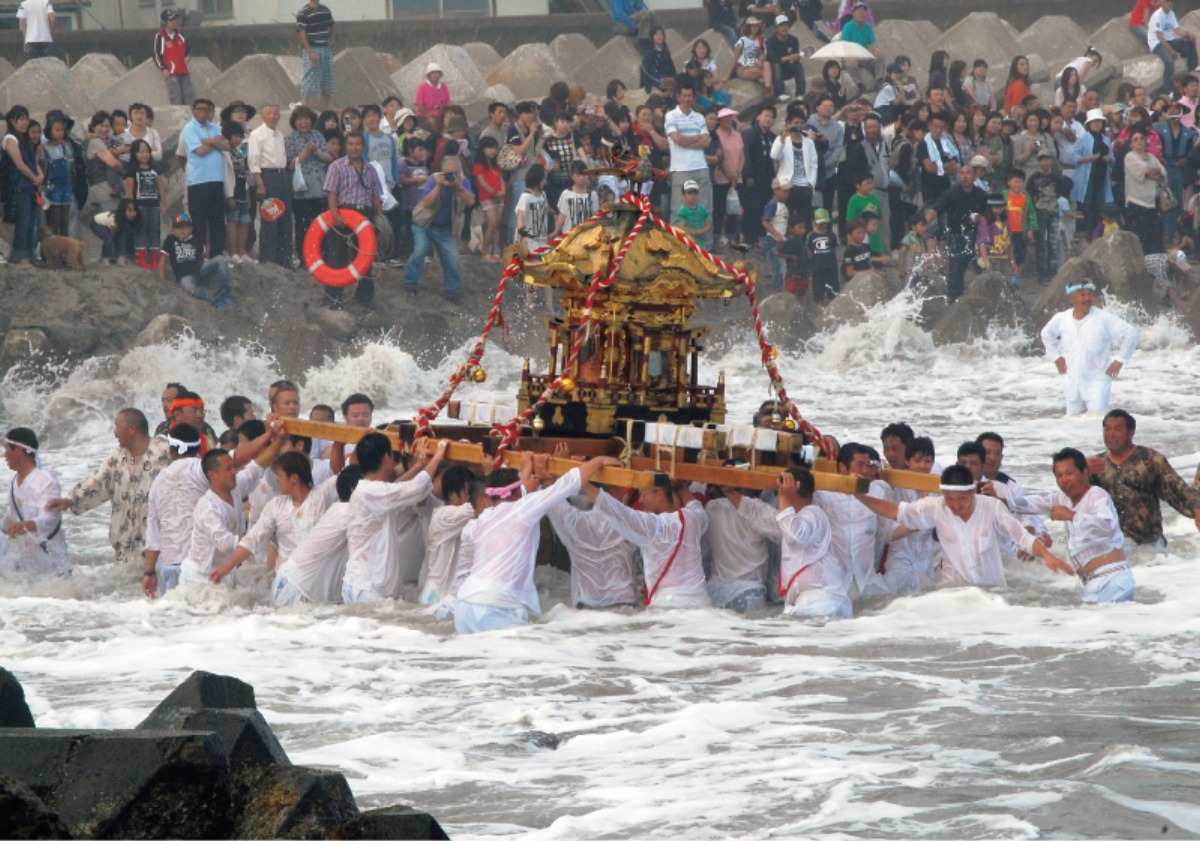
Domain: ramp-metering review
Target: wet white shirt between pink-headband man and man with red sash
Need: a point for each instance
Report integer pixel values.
(604, 566)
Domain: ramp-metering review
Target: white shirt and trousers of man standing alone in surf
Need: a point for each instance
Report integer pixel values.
(1087, 346)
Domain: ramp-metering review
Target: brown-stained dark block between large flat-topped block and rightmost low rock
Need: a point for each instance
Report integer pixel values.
(296, 803)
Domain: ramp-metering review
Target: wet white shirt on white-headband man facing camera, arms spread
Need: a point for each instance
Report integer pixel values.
(970, 549)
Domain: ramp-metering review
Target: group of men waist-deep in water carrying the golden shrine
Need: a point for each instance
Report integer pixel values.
(358, 524)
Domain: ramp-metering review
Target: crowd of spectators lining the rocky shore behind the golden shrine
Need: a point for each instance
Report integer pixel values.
(955, 178)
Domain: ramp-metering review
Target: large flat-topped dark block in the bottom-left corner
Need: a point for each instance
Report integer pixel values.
(125, 784)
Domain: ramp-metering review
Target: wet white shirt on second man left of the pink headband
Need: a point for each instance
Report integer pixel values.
(376, 508)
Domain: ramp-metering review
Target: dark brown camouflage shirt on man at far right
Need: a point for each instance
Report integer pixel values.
(1138, 485)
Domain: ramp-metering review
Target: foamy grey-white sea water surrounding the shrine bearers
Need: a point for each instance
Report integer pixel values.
(961, 713)
